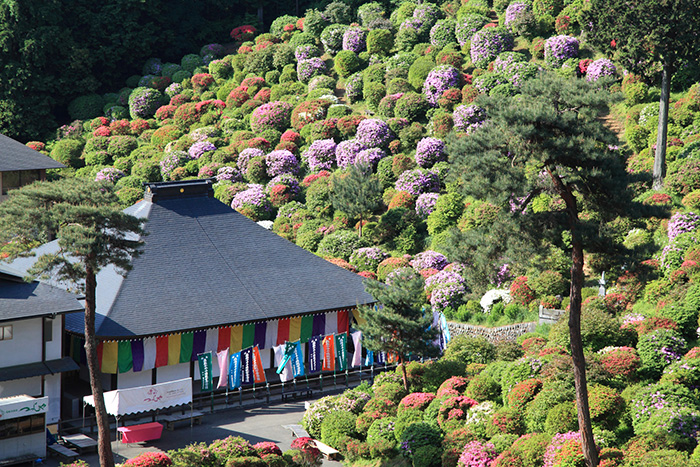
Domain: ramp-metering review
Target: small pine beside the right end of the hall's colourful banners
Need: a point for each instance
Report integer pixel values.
(399, 323)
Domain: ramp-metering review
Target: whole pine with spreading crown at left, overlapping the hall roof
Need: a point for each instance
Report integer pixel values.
(92, 232)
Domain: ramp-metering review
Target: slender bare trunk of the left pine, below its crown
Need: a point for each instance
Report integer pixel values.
(104, 443)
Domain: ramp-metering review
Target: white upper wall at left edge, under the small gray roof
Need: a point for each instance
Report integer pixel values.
(25, 345)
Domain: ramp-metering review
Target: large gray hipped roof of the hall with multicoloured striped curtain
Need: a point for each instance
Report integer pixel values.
(206, 265)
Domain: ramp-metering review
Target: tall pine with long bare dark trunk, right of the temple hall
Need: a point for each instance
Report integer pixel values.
(549, 140)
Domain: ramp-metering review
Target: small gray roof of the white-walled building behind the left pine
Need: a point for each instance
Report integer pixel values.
(21, 300)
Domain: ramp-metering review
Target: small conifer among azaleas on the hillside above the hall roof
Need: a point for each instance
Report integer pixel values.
(356, 192)
